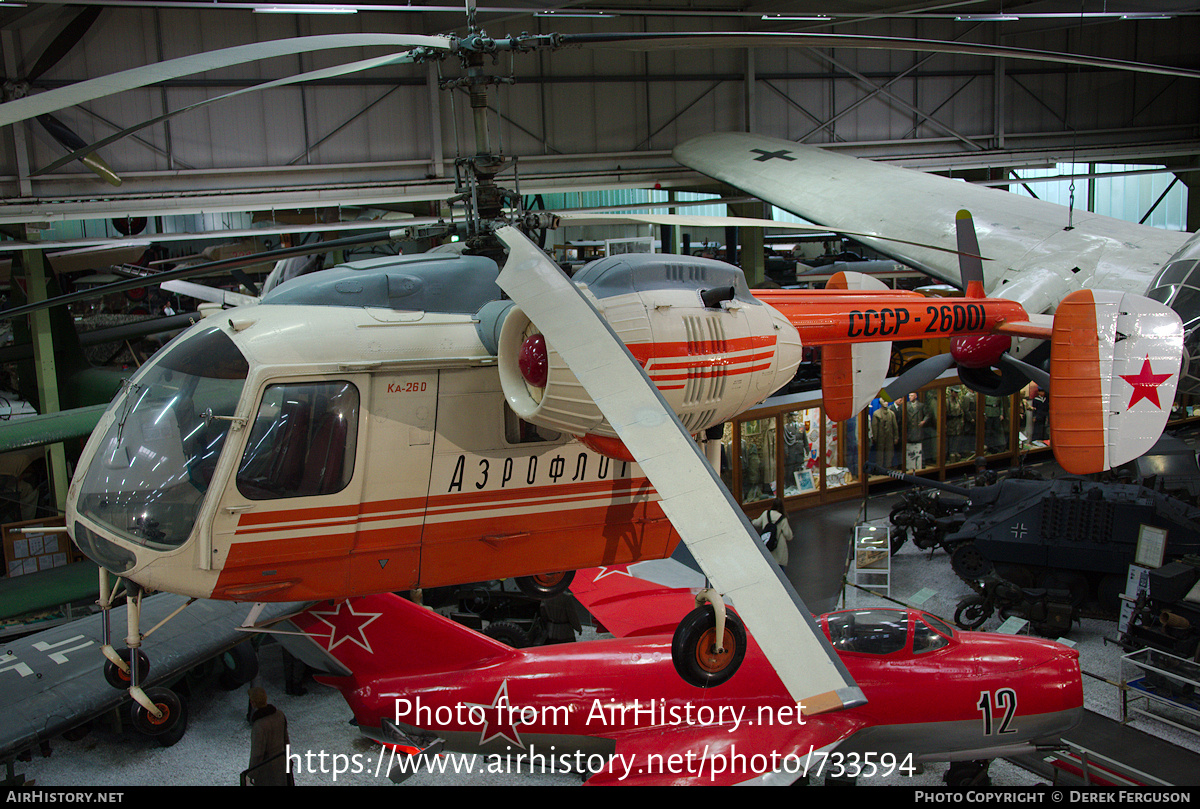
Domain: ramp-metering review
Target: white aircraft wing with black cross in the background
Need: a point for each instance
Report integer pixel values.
(1018, 236)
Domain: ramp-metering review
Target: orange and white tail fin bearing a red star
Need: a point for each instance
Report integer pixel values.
(1114, 368)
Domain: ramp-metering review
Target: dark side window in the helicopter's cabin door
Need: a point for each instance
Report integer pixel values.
(303, 442)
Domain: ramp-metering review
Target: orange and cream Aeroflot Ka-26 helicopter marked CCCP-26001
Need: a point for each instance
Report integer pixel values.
(435, 420)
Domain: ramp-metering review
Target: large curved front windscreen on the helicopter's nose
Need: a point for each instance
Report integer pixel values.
(153, 468)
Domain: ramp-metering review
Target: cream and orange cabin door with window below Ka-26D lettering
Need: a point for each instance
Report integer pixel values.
(289, 518)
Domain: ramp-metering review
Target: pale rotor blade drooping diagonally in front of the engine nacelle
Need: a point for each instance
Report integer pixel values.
(699, 506)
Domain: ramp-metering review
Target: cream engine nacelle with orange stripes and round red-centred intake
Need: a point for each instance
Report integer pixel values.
(709, 346)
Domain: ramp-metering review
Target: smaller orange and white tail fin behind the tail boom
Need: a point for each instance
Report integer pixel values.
(851, 375)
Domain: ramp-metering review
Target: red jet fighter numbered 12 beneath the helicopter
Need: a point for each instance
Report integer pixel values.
(616, 711)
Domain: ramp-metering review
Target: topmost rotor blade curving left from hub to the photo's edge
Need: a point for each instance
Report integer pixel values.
(172, 69)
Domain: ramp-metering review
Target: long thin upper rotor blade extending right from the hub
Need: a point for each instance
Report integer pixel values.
(679, 40)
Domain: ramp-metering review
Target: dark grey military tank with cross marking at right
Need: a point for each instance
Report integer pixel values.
(1070, 534)
